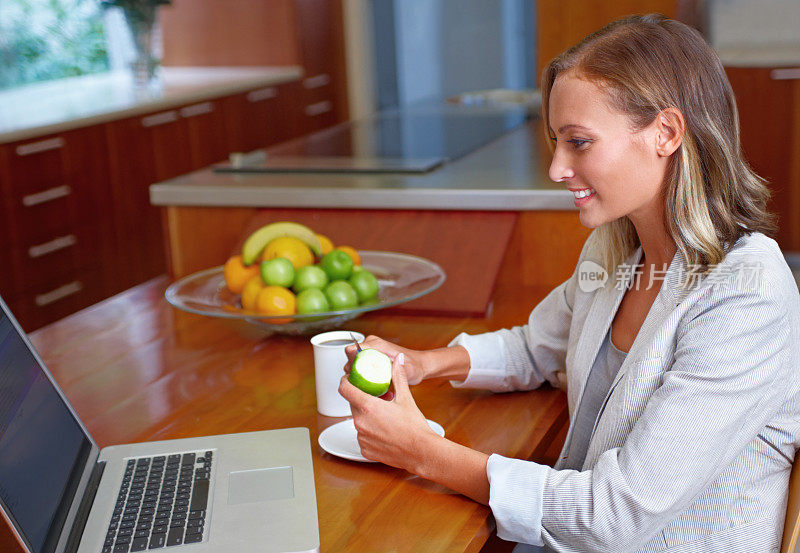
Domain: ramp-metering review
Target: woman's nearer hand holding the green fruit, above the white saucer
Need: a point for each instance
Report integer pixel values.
(391, 429)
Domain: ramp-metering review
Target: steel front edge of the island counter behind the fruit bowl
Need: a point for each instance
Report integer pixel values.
(322, 198)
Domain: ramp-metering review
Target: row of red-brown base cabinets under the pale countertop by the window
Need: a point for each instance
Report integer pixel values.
(76, 223)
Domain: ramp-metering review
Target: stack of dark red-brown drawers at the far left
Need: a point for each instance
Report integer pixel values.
(58, 232)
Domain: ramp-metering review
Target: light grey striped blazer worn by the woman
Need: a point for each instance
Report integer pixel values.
(692, 448)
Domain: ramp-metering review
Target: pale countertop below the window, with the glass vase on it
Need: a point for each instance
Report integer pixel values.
(50, 107)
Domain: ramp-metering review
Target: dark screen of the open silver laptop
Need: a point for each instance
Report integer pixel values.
(43, 449)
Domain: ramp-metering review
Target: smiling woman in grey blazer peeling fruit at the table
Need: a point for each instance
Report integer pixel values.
(681, 372)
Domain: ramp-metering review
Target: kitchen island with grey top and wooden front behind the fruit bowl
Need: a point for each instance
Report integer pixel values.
(468, 209)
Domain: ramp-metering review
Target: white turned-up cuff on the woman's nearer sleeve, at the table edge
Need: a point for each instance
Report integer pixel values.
(516, 494)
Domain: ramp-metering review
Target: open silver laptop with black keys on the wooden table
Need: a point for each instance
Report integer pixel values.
(59, 492)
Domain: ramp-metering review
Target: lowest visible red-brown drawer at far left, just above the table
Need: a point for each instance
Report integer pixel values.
(66, 294)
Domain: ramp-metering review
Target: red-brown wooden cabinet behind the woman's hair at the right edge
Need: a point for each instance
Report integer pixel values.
(769, 112)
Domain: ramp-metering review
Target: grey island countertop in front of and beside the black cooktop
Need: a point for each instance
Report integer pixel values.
(509, 173)
